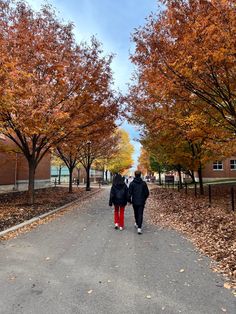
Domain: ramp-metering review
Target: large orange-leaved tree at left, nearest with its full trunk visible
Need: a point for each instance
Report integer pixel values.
(55, 94)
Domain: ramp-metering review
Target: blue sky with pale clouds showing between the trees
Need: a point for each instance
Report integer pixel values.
(112, 22)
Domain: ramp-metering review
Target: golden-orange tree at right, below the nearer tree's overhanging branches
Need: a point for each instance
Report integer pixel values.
(175, 132)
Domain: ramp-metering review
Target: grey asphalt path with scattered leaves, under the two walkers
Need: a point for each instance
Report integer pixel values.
(78, 263)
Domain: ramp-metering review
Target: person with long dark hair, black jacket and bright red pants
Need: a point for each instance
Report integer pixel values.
(118, 198)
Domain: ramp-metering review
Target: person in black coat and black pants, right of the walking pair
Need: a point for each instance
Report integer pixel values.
(138, 194)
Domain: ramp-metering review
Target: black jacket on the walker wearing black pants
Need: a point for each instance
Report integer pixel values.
(138, 192)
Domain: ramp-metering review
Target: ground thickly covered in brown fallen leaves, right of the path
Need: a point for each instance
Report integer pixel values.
(211, 229)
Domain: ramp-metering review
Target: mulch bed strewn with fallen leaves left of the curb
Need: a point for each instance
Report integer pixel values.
(14, 207)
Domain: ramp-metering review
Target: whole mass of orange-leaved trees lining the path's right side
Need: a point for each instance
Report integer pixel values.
(184, 90)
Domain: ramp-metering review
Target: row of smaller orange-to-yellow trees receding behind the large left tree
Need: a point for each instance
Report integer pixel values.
(108, 153)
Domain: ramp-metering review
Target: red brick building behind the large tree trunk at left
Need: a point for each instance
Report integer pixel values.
(14, 169)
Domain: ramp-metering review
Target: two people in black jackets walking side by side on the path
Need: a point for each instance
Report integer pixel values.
(136, 194)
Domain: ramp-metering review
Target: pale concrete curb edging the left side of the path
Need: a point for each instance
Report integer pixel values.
(30, 221)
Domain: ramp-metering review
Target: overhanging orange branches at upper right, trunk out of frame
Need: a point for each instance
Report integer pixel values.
(190, 48)
